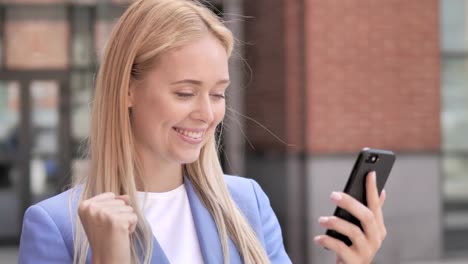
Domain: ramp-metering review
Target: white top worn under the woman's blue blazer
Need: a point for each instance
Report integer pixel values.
(170, 218)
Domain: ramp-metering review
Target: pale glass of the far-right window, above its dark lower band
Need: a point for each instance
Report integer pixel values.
(454, 119)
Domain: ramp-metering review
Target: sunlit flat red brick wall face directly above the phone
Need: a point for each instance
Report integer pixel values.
(372, 75)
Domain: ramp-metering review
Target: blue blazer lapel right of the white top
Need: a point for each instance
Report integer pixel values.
(207, 232)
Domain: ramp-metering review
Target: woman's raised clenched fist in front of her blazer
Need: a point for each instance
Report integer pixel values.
(108, 221)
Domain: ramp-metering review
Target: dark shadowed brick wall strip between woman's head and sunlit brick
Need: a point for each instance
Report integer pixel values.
(265, 91)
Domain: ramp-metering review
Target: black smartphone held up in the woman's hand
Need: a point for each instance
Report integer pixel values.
(378, 160)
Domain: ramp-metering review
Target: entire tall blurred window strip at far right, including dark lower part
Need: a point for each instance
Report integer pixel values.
(454, 123)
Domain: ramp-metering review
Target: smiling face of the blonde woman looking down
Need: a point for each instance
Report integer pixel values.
(178, 105)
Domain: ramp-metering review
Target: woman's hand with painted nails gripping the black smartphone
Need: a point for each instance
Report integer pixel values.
(365, 243)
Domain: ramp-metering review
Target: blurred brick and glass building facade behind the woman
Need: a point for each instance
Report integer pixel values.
(313, 82)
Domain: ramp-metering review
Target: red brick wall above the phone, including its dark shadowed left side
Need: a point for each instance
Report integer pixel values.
(371, 75)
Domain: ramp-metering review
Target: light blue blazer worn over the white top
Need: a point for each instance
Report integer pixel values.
(47, 227)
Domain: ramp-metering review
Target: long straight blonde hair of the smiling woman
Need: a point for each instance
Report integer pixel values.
(146, 30)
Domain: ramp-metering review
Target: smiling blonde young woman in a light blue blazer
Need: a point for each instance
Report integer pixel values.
(156, 192)
